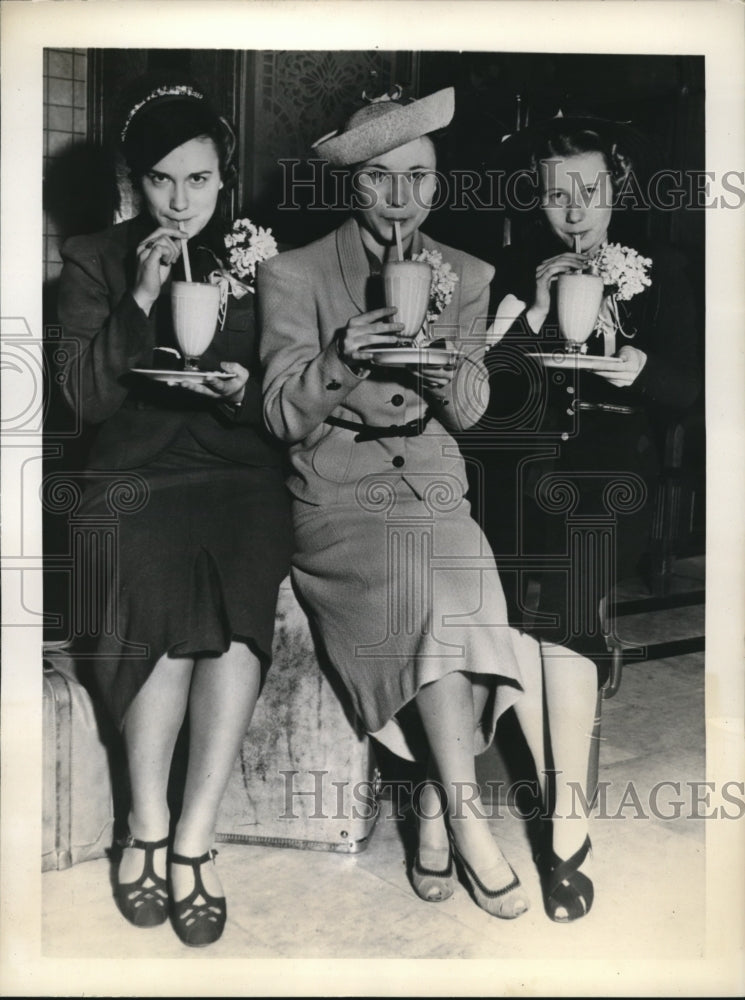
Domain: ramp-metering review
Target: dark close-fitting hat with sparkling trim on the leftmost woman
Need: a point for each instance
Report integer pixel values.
(164, 119)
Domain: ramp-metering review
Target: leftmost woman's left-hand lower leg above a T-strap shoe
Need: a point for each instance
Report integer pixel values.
(151, 727)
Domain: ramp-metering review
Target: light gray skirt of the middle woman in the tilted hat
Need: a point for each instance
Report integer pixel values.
(403, 591)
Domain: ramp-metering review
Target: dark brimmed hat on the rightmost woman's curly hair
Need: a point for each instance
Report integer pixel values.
(518, 149)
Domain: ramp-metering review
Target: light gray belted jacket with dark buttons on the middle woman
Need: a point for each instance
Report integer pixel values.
(306, 297)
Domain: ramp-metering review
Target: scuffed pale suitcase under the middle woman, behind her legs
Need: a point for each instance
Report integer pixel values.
(306, 775)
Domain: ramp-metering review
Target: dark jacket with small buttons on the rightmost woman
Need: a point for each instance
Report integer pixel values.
(661, 321)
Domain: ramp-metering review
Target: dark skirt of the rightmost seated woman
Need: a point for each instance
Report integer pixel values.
(567, 527)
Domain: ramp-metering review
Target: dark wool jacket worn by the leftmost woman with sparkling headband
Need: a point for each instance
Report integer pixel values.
(139, 418)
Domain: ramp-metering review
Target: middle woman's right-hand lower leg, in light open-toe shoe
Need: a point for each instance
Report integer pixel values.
(447, 711)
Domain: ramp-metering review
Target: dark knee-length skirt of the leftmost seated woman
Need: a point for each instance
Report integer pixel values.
(195, 567)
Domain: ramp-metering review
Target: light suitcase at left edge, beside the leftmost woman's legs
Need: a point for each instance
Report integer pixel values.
(77, 801)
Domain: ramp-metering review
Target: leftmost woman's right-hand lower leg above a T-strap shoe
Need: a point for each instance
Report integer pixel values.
(223, 696)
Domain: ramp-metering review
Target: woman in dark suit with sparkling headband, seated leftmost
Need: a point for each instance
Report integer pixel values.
(207, 543)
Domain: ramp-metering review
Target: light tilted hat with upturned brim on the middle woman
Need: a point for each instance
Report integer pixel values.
(385, 124)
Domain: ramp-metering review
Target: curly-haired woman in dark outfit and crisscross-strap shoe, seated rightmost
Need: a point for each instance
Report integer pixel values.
(581, 457)
